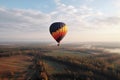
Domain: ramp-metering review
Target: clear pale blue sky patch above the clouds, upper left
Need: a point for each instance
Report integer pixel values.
(42, 5)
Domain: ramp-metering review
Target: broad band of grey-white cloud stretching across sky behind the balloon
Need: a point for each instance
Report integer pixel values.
(28, 20)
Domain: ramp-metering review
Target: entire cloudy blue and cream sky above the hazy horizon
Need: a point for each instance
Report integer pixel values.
(87, 20)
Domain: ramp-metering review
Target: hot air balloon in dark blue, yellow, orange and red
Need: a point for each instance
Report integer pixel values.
(58, 30)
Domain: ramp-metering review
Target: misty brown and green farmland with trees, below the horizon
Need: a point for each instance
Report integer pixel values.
(37, 61)
